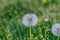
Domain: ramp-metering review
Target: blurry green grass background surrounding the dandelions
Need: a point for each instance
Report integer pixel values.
(12, 11)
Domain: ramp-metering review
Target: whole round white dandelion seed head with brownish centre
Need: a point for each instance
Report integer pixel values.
(30, 20)
